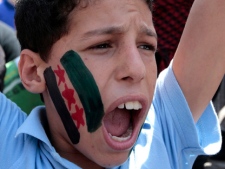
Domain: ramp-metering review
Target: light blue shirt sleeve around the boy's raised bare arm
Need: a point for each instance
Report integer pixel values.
(183, 138)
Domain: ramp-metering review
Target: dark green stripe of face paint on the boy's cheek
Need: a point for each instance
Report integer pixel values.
(86, 88)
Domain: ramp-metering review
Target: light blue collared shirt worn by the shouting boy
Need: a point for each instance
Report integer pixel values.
(169, 139)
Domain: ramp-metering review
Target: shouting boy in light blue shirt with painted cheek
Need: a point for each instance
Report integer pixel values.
(93, 62)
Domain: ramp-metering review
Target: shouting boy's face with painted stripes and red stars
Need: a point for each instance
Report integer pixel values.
(116, 41)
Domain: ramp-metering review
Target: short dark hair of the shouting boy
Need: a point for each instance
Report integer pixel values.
(40, 23)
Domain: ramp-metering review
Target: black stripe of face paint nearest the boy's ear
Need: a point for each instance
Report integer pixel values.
(60, 106)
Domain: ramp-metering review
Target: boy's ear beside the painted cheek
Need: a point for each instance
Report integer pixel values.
(31, 69)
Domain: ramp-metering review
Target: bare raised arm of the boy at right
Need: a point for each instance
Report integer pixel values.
(199, 62)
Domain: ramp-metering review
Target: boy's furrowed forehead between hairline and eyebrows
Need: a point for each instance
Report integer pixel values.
(112, 12)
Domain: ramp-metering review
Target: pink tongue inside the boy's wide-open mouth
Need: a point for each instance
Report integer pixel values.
(117, 122)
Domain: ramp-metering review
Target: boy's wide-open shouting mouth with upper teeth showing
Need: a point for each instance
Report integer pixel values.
(122, 125)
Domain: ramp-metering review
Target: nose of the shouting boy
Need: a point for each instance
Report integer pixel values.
(130, 65)
